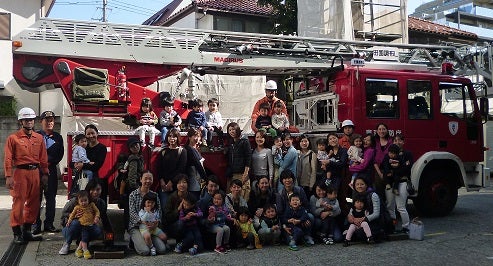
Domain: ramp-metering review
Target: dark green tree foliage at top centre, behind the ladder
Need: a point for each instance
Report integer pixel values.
(285, 17)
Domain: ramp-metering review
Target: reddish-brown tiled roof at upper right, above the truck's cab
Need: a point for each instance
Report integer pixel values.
(426, 26)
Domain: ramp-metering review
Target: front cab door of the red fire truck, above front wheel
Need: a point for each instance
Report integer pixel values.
(457, 125)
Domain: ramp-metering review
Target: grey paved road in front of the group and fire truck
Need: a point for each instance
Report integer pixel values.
(463, 238)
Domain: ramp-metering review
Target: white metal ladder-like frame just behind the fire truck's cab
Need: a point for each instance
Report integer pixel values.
(316, 112)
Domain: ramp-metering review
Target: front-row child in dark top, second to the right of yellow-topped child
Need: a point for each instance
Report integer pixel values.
(296, 223)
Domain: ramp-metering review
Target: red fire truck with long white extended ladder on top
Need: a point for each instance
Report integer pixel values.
(413, 89)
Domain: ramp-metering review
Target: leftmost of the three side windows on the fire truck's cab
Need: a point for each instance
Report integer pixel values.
(382, 98)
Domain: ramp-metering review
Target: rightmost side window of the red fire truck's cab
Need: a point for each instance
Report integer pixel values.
(455, 100)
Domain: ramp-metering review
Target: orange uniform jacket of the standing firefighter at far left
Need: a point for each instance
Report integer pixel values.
(19, 149)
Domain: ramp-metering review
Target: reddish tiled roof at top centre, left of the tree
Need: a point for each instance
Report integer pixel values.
(240, 6)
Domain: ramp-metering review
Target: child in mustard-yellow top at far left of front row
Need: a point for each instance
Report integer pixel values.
(88, 221)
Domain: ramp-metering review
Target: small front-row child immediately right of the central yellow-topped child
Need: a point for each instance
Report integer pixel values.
(269, 226)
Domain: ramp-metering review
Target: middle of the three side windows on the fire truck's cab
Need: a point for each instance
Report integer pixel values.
(418, 100)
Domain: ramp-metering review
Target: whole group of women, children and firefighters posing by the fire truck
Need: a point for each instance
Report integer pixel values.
(275, 193)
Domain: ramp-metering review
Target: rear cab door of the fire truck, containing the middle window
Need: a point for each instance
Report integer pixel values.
(417, 110)
